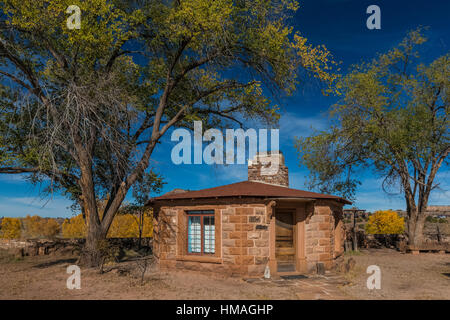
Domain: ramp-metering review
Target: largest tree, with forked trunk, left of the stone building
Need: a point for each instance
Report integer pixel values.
(86, 108)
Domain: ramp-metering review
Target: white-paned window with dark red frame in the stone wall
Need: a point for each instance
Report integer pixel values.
(201, 232)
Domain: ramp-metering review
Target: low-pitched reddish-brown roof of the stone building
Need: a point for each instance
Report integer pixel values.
(248, 189)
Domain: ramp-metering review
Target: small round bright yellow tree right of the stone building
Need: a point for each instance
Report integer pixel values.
(385, 222)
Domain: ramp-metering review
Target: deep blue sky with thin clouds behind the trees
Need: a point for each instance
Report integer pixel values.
(341, 26)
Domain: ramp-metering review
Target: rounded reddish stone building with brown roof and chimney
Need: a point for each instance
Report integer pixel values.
(240, 228)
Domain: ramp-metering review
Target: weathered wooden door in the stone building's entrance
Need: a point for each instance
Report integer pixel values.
(284, 240)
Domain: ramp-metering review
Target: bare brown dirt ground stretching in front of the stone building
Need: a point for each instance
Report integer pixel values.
(426, 276)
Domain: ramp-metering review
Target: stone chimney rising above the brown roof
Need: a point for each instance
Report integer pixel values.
(268, 168)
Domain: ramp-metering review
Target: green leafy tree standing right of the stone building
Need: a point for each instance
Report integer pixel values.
(393, 118)
